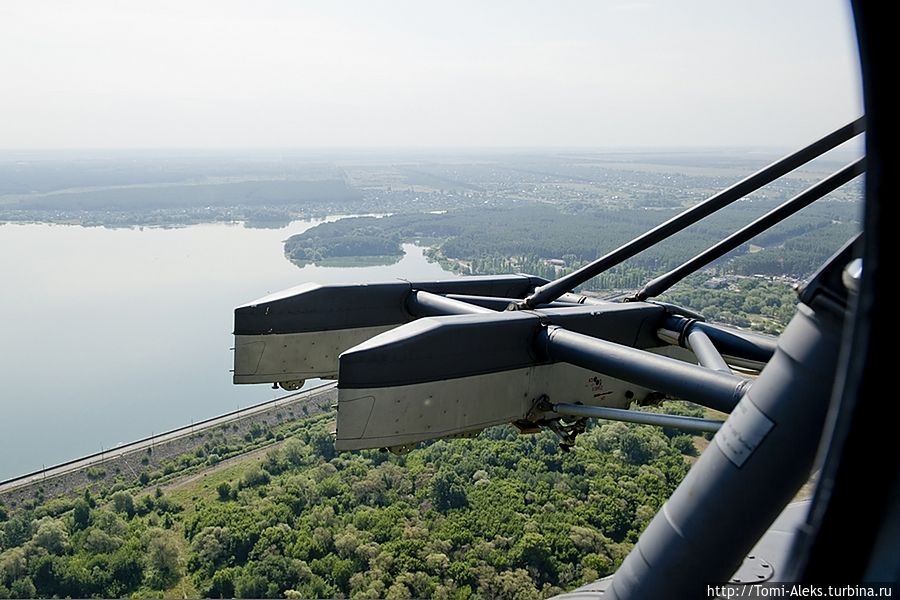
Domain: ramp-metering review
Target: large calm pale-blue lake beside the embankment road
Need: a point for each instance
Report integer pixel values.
(109, 335)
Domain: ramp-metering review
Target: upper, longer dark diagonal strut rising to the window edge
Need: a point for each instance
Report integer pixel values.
(554, 289)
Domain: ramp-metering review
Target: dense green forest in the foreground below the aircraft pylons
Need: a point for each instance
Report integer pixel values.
(497, 516)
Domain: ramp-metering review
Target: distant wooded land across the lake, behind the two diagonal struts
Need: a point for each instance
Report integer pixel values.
(752, 287)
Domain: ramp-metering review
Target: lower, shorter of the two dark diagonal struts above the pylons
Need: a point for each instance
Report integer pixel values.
(802, 200)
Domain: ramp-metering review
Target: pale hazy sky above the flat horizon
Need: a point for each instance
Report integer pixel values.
(369, 73)
